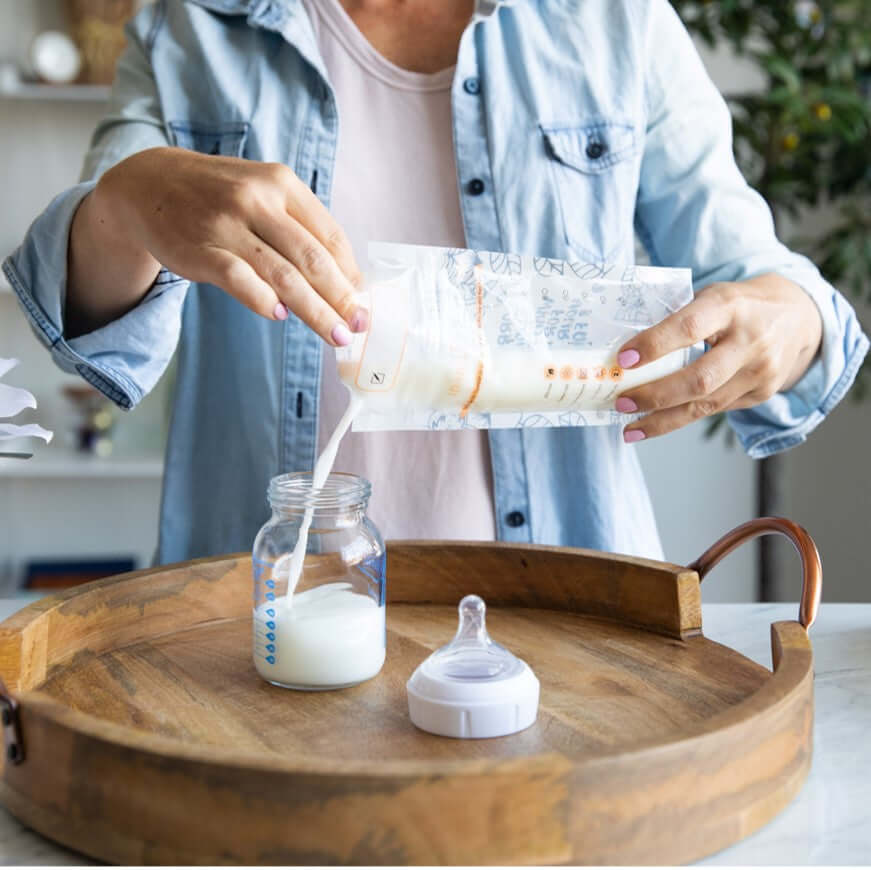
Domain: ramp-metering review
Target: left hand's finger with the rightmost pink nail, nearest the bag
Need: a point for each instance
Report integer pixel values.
(295, 244)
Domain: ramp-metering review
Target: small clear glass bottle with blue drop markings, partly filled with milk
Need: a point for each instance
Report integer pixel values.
(331, 632)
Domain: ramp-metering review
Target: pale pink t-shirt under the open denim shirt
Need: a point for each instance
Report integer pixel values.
(395, 180)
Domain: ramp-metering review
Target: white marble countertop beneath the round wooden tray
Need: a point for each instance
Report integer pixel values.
(829, 822)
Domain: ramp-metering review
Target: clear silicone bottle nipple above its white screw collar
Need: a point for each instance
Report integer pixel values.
(472, 655)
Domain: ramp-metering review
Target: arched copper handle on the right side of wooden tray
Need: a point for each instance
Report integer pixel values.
(812, 571)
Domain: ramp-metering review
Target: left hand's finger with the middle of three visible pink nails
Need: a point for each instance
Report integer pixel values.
(295, 292)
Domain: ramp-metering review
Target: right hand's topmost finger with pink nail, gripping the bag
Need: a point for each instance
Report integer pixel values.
(708, 314)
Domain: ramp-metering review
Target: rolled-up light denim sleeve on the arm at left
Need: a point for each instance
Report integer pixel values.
(125, 358)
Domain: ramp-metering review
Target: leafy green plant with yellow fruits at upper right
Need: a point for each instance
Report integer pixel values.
(804, 139)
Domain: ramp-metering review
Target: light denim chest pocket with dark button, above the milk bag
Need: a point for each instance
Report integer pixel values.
(595, 173)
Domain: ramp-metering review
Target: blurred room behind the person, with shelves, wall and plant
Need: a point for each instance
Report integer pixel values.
(798, 75)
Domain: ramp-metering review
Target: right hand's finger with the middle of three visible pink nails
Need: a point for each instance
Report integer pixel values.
(697, 381)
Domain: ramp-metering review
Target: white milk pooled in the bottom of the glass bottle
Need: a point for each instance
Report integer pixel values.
(331, 637)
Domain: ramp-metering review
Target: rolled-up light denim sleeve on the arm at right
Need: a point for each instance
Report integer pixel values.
(695, 209)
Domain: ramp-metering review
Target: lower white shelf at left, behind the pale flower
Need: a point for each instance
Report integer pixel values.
(64, 463)
